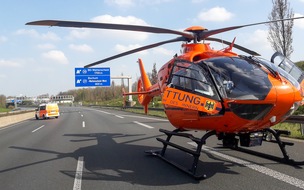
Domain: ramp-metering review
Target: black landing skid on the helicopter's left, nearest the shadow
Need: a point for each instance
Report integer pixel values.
(196, 154)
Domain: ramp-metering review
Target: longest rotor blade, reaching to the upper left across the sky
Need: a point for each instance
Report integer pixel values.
(97, 25)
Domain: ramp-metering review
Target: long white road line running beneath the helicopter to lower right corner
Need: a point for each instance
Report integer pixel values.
(272, 173)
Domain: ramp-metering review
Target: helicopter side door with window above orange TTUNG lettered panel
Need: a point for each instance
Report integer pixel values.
(190, 87)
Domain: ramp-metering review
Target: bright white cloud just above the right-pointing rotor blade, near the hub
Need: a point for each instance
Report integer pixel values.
(217, 14)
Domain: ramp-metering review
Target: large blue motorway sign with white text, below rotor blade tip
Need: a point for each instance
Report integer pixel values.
(86, 77)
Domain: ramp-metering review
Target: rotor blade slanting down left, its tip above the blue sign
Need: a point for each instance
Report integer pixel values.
(178, 39)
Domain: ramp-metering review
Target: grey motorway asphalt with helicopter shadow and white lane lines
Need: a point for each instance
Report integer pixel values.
(100, 149)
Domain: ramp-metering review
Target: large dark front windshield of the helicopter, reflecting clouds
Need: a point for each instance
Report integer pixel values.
(238, 78)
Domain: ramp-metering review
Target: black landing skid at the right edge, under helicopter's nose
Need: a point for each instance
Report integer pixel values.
(282, 145)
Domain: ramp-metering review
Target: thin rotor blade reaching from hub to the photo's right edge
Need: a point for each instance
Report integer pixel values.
(205, 34)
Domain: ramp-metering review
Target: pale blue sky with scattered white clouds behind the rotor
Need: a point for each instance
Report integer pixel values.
(36, 60)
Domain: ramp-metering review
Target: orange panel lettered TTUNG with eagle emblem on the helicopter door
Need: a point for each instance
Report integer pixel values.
(178, 98)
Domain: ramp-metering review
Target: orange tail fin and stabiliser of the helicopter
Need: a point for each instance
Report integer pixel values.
(145, 90)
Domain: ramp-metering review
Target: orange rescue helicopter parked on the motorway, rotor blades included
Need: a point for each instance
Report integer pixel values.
(235, 97)
